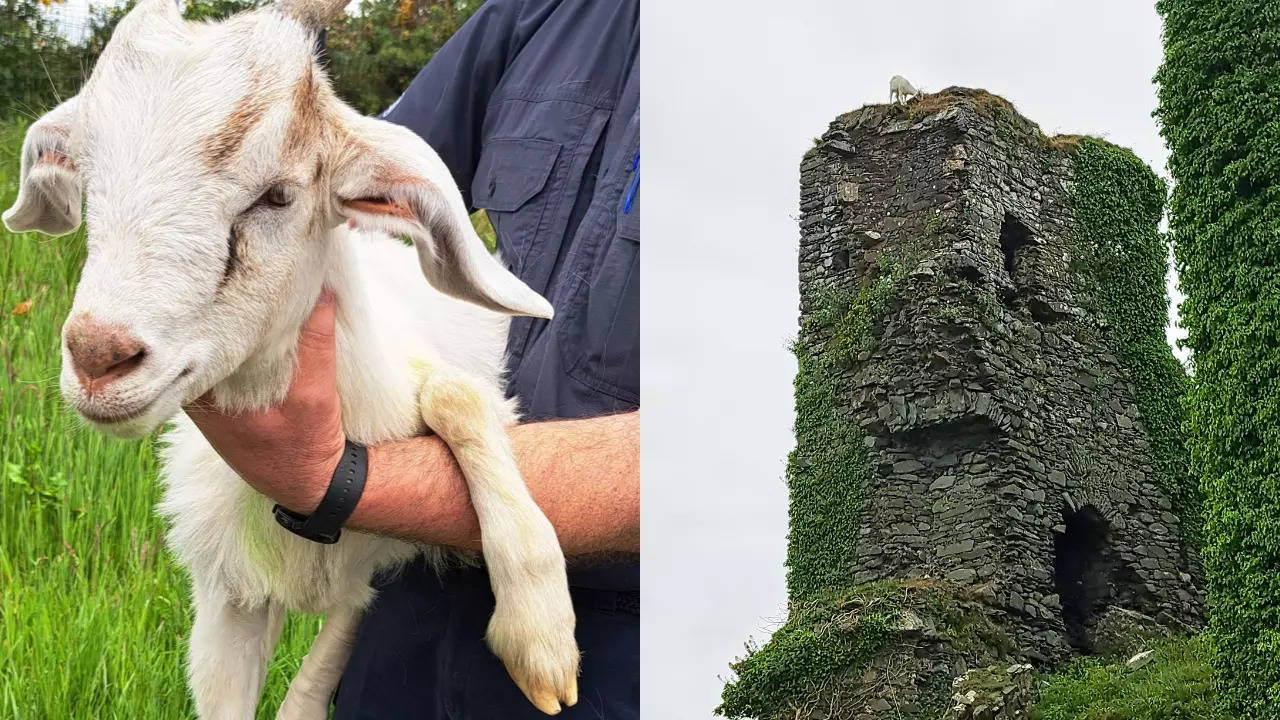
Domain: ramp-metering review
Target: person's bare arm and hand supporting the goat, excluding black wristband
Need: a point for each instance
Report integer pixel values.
(584, 475)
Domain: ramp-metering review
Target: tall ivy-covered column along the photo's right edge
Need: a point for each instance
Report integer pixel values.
(1219, 112)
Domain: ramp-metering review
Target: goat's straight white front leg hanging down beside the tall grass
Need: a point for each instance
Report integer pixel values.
(231, 646)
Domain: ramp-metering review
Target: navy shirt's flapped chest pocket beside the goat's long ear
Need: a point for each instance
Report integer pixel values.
(509, 188)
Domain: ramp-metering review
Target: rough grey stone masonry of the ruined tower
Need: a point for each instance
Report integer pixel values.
(1005, 445)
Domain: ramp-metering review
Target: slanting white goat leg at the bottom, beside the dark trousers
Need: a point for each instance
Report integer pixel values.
(312, 691)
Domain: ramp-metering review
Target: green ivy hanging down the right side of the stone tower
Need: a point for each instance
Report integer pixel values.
(1124, 261)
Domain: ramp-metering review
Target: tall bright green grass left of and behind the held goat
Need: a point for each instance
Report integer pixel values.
(94, 612)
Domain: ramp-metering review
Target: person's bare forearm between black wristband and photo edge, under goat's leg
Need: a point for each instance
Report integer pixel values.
(584, 475)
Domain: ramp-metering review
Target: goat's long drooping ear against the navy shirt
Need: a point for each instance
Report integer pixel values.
(390, 180)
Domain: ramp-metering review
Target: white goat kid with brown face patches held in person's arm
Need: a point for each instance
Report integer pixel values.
(225, 188)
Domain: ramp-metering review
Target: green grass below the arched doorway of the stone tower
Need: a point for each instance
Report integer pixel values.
(1177, 685)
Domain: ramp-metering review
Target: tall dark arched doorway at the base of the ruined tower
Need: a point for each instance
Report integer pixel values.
(1081, 573)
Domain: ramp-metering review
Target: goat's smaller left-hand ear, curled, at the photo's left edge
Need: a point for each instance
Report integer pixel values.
(49, 185)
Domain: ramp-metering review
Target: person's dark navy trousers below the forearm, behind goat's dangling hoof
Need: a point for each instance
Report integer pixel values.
(420, 655)
